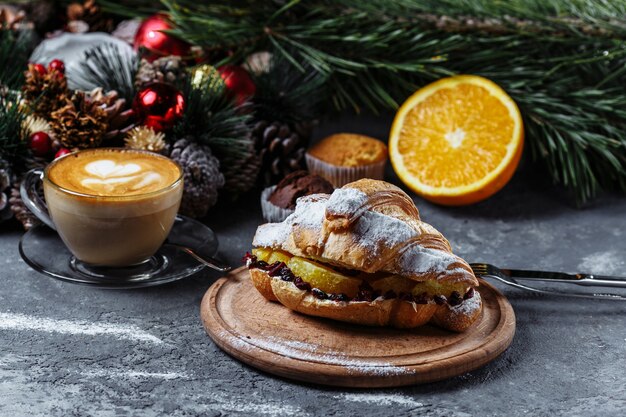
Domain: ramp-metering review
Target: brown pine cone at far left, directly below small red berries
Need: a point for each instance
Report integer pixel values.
(44, 93)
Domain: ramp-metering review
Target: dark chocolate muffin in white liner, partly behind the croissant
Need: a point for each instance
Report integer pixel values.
(279, 201)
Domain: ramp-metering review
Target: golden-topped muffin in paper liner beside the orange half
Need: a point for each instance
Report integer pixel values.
(345, 157)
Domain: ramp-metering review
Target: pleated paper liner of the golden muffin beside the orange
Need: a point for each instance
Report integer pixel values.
(340, 176)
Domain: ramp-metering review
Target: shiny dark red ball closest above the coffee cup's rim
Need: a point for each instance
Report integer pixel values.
(159, 106)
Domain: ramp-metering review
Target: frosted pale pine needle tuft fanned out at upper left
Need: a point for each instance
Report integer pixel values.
(109, 67)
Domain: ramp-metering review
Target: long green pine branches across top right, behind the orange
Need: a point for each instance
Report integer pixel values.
(563, 62)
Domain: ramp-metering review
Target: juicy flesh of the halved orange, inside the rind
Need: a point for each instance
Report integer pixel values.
(479, 118)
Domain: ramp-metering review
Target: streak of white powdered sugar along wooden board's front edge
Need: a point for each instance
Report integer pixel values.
(308, 352)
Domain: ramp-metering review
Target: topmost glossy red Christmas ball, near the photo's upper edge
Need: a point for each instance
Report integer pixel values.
(150, 36)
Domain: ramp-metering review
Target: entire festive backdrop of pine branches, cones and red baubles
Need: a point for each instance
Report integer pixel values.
(276, 67)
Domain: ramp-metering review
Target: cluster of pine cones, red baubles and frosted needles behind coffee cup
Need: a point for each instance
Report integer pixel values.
(222, 125)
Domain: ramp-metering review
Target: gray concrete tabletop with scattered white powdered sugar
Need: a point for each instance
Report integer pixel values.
(68, 350)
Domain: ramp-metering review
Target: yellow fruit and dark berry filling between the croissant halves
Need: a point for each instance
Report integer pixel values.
(328, 282)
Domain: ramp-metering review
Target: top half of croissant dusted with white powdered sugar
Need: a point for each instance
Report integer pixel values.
(369, 226)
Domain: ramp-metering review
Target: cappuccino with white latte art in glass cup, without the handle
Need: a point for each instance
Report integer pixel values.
(113, 207)
